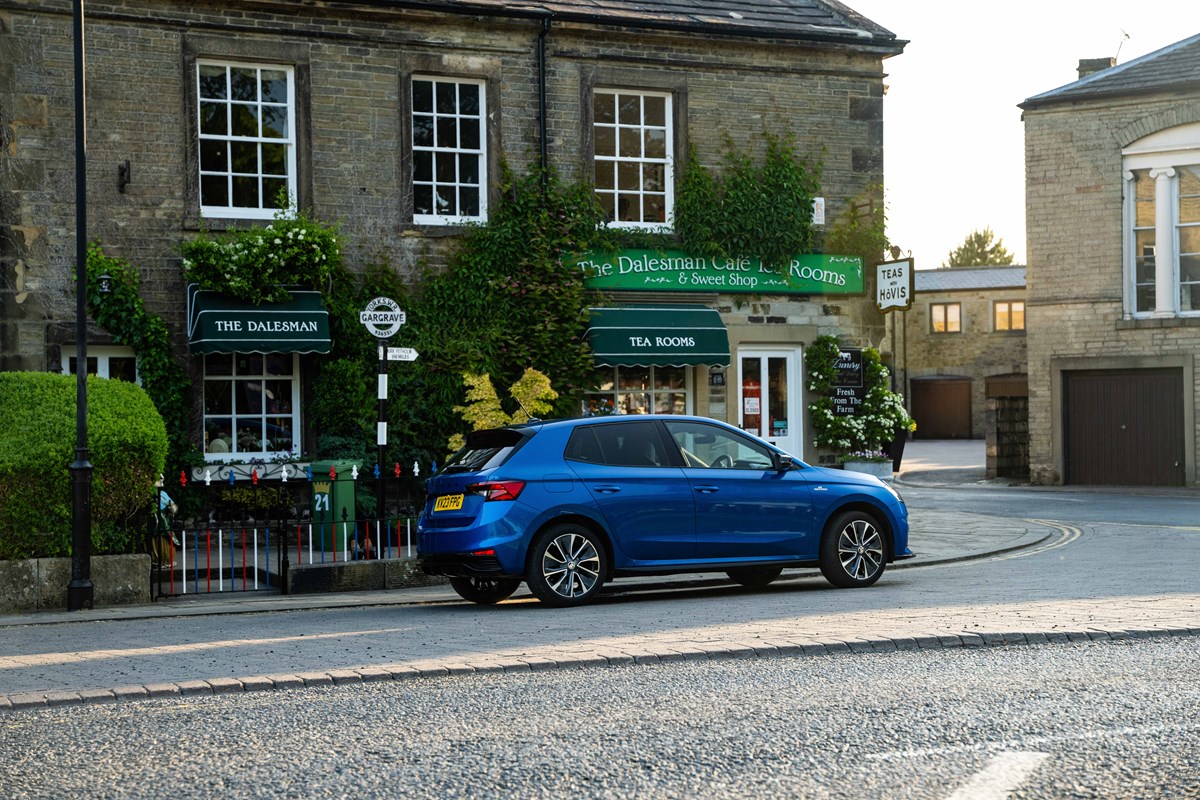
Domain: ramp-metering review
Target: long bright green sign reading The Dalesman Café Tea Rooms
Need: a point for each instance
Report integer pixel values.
(650, 270)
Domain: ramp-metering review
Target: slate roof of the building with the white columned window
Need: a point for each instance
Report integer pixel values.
(1177, 67)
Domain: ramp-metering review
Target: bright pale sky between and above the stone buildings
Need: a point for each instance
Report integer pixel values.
(953, 140)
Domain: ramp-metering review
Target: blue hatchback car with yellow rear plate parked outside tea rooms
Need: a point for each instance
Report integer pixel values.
(567, 506)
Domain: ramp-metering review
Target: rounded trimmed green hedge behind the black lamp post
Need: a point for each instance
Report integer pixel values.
(128, 449)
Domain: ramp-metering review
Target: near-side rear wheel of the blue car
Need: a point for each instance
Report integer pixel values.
(568, 566)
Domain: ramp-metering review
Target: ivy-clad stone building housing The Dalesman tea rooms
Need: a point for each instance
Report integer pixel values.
(393, 118)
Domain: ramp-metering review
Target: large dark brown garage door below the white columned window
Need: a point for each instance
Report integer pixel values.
(1124, 428)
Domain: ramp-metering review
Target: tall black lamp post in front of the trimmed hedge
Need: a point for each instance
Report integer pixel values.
(80, 591)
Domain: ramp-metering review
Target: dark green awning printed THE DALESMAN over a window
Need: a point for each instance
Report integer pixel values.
(218, 323)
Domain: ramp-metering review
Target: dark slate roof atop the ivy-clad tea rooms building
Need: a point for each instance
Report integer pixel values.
(819, 21)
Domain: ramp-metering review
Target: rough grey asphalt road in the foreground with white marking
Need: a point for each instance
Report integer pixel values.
(1084, 720)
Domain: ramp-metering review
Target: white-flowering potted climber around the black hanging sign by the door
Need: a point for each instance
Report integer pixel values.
(861, 438)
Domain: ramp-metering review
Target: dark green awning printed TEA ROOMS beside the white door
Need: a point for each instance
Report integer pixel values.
(658, 336)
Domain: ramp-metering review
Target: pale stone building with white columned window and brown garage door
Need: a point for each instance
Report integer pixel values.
(1113, 203)
